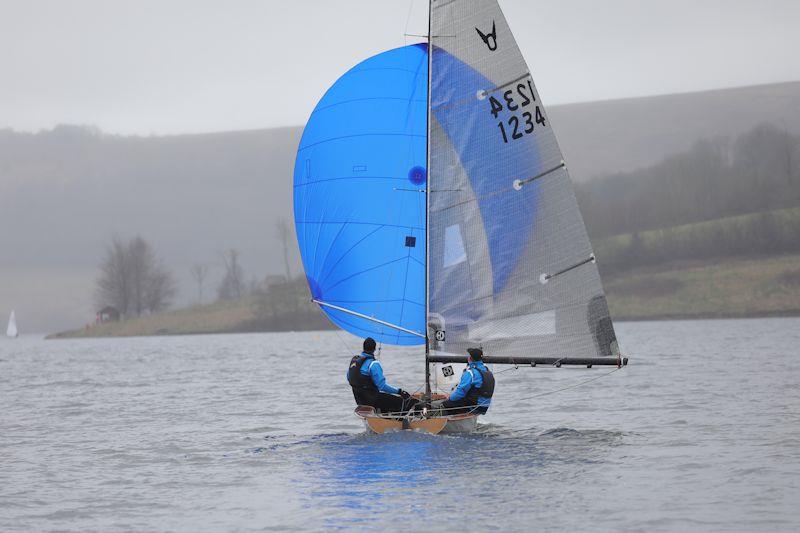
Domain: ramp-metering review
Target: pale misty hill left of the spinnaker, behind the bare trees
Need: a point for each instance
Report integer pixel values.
(64, 192)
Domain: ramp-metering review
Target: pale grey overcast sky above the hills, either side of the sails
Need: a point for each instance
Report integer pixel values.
(195, 65)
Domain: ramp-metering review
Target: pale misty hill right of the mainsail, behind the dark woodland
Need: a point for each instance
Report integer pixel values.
(613, 136)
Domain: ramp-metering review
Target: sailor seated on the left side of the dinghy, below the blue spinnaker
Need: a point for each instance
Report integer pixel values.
(365, 376)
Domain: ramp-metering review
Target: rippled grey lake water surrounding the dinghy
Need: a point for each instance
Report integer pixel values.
(256, 432)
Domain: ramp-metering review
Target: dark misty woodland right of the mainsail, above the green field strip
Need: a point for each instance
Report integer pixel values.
(758, 171)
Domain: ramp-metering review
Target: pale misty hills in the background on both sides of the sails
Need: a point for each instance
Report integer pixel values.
(64, 192)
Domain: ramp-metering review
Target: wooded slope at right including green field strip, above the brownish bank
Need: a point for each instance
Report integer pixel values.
(718, 199)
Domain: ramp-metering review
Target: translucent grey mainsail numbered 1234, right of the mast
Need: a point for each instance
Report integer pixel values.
(511, 266)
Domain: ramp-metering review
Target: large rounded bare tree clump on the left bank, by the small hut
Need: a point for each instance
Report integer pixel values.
(132, 279)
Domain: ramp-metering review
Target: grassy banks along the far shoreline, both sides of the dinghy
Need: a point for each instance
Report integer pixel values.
(731, 288)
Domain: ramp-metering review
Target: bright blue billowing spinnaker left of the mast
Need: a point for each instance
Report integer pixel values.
(359, 201)
